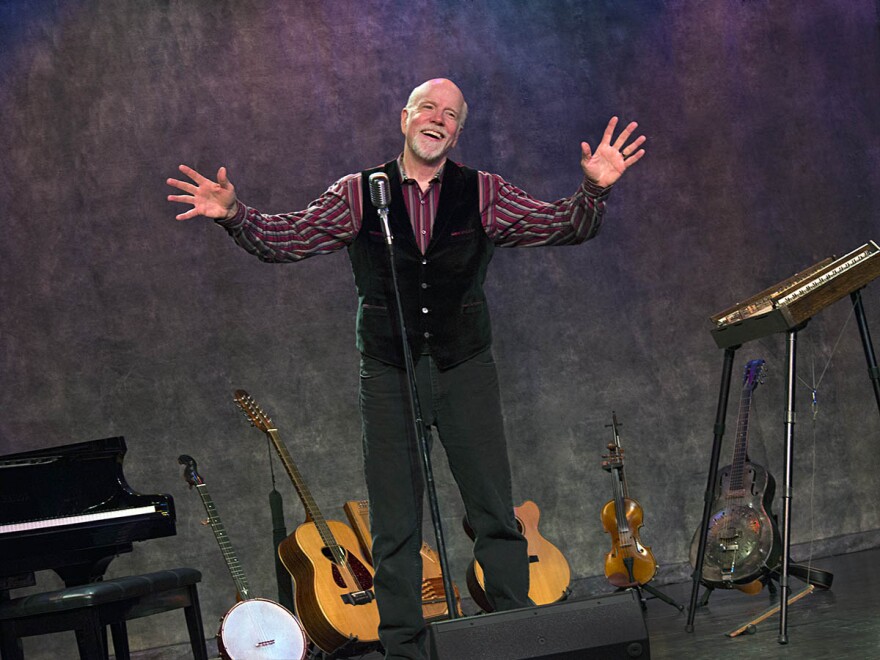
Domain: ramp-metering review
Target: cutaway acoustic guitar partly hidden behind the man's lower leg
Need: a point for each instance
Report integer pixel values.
(549, 573)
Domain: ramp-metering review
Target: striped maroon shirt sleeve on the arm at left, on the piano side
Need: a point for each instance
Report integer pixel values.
(328, 224)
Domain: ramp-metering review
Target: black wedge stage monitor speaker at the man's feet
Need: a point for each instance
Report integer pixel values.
(609, 627)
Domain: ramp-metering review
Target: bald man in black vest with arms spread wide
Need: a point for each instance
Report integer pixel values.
(446, 220)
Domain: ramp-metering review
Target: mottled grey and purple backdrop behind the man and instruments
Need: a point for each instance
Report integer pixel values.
(762, 119)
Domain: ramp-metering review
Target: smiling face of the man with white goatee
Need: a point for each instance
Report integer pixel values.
(432, 125)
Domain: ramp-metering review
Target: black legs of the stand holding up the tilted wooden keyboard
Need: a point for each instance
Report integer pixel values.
(721, 413)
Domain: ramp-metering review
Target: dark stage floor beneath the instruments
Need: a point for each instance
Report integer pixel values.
(843, 622)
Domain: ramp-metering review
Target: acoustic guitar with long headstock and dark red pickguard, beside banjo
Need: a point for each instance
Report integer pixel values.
(334, 582)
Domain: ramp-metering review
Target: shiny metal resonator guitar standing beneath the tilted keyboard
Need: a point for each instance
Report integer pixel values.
(743, 543)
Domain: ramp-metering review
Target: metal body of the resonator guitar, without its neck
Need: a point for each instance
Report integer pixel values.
(743, 541)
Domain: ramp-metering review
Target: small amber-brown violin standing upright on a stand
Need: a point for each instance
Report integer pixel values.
(629, 563)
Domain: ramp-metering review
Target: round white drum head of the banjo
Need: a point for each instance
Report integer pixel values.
(260, 629)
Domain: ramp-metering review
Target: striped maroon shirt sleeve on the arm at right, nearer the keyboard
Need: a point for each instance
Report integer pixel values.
(513, 218)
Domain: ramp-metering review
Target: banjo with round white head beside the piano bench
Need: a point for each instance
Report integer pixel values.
(253, 628)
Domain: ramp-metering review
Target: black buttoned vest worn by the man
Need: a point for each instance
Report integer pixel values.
(441, 291)
